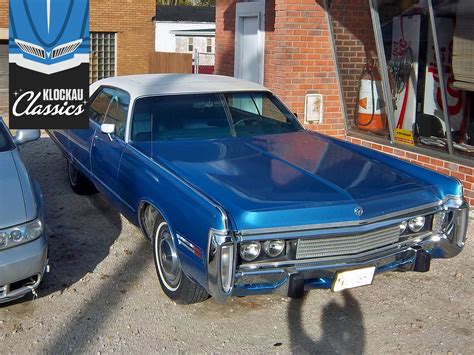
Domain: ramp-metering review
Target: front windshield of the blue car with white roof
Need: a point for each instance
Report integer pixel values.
(207, 116)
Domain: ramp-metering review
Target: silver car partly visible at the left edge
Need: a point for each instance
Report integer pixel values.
(23, 244)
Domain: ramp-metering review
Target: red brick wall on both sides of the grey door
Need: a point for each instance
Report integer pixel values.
(298, 56)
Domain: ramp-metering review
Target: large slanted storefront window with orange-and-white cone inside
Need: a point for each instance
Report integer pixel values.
(392, 84)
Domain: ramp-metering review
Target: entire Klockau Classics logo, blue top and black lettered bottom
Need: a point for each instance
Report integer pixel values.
(49, 63)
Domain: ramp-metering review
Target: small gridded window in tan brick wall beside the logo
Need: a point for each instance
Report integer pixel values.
(102, 61)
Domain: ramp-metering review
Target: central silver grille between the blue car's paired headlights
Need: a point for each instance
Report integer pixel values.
(328, 246)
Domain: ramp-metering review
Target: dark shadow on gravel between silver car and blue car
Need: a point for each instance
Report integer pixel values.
(80, 229)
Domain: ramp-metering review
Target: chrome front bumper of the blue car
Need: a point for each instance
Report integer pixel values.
(291, 278)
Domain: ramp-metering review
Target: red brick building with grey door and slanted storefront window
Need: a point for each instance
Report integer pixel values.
(336, 48)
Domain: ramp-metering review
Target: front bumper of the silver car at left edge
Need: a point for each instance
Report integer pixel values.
(22, 269)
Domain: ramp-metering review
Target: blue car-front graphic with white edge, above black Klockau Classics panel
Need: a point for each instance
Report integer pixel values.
(49, 36)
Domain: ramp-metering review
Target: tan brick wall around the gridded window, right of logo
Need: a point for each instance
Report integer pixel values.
(132, 21)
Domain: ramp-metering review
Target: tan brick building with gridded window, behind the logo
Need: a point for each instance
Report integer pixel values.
(122, 35)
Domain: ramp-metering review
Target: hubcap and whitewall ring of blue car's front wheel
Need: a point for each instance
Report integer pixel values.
(166, 256)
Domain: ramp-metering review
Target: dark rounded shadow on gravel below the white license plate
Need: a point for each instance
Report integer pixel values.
(342, 328)
